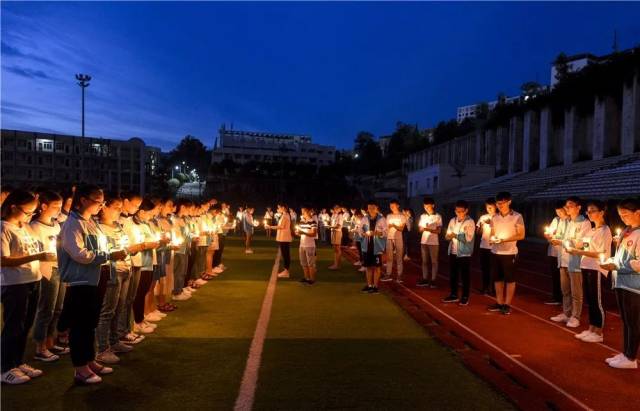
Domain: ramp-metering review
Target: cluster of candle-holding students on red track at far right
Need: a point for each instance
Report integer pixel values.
(580, 259)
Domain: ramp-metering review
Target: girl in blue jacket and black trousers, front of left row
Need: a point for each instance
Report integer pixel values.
(80, 262)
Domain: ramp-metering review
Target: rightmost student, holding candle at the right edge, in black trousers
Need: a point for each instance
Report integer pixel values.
(625, 268)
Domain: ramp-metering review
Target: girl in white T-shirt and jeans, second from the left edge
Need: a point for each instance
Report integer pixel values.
(46, 230)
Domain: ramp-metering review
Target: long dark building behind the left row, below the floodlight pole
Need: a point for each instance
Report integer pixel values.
(31, 159)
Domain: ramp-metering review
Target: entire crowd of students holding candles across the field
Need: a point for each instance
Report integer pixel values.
(91, 273)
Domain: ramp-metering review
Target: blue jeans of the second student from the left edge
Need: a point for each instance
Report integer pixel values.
(49, 306)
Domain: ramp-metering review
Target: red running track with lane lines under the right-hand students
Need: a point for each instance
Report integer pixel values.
(537, 363)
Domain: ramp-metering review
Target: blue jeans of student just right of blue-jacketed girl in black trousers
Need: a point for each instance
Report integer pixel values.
(113, 311)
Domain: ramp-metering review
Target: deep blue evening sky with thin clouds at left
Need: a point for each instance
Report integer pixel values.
(164, 70)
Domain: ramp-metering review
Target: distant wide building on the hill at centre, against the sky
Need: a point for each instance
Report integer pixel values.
(245, 146)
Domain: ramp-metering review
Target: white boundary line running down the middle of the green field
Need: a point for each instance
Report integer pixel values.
(249, 383)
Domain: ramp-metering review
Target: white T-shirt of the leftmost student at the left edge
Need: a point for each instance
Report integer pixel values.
(19, 242)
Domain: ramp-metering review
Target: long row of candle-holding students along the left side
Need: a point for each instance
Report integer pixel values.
(102, 274)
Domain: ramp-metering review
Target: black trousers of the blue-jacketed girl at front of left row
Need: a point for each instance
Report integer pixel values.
(83, 307)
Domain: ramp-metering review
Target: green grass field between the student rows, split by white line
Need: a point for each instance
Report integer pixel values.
(327, 346)
